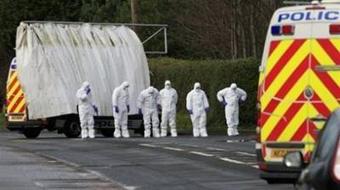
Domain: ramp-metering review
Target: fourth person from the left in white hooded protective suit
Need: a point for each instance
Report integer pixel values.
(168, 101)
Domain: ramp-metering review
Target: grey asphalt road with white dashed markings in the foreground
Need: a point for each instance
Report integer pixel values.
(150, 164)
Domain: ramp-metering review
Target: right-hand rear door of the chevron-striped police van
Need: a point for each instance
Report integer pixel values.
(324, 67)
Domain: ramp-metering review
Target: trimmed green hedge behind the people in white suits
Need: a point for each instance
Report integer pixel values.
(213, 76)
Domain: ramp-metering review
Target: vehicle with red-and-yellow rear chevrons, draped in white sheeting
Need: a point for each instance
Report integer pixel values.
(52, 61)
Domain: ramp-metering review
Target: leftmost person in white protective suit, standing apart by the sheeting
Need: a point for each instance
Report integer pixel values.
(86, 110)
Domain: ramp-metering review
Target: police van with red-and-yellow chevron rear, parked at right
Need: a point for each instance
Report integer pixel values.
(299, 84)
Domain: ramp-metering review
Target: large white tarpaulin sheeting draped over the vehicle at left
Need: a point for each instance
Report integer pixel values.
(55, 59)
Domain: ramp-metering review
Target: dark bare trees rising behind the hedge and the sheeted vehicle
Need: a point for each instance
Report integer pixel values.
(198, 29)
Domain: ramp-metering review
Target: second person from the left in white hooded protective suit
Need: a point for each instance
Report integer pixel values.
(121, 108)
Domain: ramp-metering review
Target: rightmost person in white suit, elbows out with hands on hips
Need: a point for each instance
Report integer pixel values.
(230, 98)
